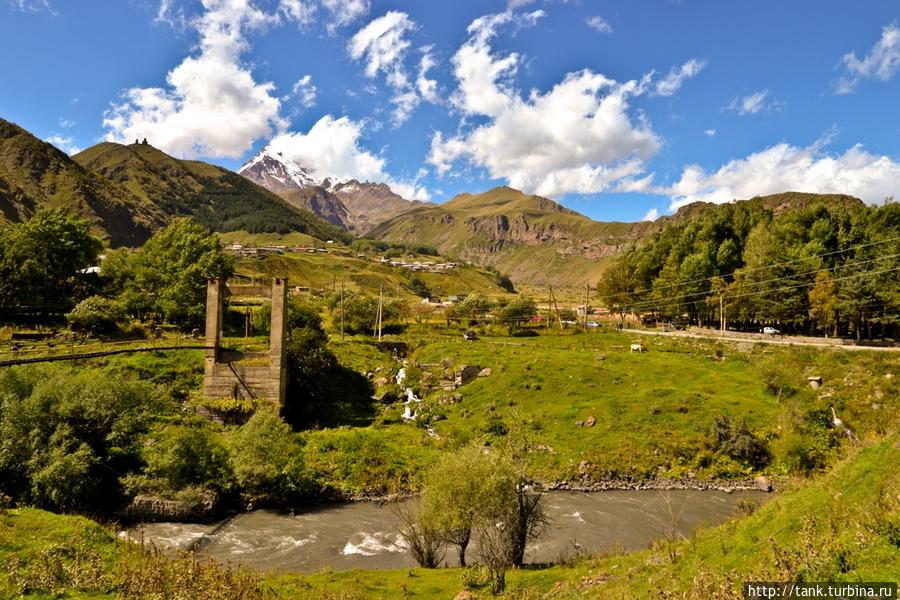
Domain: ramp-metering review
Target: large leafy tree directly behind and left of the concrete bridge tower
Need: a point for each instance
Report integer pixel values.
(170, 273)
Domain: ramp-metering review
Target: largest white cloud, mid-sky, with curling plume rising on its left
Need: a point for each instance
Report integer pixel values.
(577, 137)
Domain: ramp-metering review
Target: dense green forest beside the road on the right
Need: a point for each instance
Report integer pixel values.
(827, 265)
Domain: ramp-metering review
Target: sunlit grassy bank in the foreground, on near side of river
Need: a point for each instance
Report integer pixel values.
(841, 527)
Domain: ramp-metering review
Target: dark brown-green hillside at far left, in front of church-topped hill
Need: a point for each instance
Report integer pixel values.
(35, 175)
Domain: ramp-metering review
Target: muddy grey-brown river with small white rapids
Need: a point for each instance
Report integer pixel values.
(363, 535)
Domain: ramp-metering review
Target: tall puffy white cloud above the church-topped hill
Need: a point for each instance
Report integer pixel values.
(212, 106)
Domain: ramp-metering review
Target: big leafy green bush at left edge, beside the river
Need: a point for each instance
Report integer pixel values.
(66, 435)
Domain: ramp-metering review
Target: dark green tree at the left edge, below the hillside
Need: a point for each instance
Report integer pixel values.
(41, 261)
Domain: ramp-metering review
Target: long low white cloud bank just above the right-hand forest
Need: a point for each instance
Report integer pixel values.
(784, 167)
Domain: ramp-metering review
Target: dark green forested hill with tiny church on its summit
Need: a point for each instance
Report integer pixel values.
(215, 197)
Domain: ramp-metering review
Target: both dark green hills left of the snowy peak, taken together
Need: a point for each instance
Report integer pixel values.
(127, 192)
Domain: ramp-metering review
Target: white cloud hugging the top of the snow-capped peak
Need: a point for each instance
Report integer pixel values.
(332, 148)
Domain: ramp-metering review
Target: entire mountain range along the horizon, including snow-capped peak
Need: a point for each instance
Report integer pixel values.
(128, 191)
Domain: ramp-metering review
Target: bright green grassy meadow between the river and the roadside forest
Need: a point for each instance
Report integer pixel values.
(653, 410)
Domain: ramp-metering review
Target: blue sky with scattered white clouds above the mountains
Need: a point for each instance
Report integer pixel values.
(619, 109)
